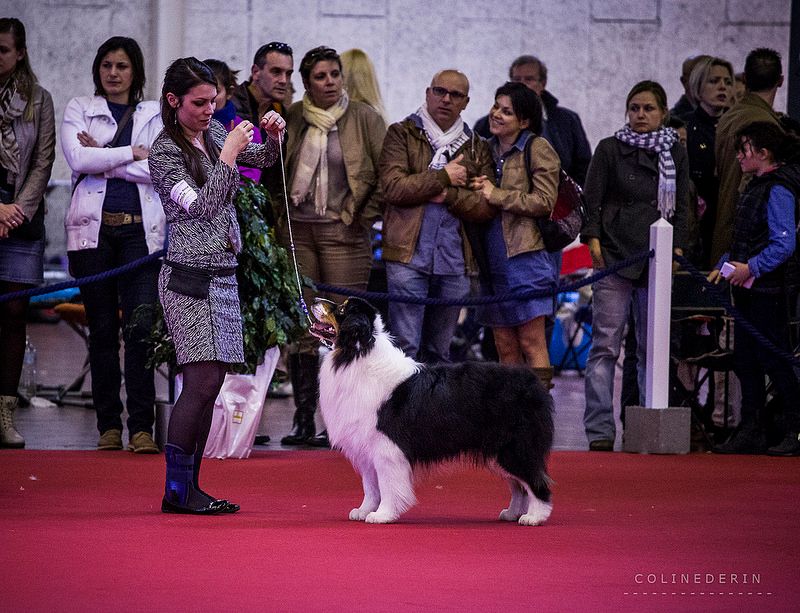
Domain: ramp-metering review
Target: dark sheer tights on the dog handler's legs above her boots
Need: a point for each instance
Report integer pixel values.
(191, 416)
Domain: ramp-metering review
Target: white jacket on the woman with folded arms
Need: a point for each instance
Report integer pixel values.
(91, 114)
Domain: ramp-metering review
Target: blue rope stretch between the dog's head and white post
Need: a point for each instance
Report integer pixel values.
(481, 300)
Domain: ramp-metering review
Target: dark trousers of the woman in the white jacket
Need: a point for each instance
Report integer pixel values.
(118, 245)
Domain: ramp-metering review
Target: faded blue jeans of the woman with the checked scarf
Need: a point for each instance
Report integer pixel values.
(612, 297)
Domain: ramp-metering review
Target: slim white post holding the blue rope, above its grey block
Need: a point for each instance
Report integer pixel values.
(659, 304)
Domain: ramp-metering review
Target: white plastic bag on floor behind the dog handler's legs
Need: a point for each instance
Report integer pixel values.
(237, 411)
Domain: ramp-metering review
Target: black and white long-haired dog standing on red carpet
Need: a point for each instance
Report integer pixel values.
(390, 416)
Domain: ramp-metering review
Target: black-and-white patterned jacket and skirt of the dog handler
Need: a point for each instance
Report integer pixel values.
(204, 235)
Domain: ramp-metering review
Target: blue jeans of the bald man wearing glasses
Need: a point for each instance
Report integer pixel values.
(424, 332)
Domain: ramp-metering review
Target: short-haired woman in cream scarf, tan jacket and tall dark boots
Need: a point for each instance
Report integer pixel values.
(333, 145)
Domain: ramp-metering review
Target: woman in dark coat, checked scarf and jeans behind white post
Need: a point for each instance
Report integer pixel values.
(637, 176)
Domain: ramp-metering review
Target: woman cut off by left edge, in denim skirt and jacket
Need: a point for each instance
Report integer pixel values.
(27, 150)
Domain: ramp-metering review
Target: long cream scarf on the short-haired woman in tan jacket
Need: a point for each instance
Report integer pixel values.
(312, 159)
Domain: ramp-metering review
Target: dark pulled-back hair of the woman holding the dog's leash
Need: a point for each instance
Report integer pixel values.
(181, 76)
